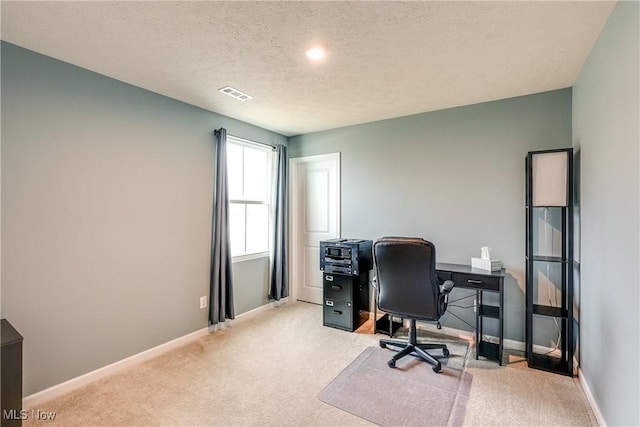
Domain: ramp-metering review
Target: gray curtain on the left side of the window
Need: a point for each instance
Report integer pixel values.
(221, 283)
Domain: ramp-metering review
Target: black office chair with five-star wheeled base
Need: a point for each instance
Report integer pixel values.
(407, 287)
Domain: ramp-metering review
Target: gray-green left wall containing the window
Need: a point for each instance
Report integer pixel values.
(106, 216)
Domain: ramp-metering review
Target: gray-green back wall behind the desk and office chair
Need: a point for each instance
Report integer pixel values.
(455, 177)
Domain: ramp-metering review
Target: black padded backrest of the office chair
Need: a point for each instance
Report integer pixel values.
(406, 278)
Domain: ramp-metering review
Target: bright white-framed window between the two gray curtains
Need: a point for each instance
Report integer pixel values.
(249, 176)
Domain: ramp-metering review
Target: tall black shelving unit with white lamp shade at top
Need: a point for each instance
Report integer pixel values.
(549, 260)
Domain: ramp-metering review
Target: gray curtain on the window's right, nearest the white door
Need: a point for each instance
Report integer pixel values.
(279, 270)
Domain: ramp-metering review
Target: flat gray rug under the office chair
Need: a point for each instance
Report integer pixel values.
(409, 395)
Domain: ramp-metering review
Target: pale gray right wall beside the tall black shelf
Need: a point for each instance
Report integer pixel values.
(606, 132)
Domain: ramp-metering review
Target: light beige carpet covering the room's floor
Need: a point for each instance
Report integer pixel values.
(268, 368)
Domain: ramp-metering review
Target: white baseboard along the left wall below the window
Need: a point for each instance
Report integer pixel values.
(34, 400)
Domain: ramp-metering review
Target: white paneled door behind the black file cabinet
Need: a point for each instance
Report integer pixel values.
(315, 216)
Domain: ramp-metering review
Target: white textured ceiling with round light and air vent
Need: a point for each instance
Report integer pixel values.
(385, 59)
